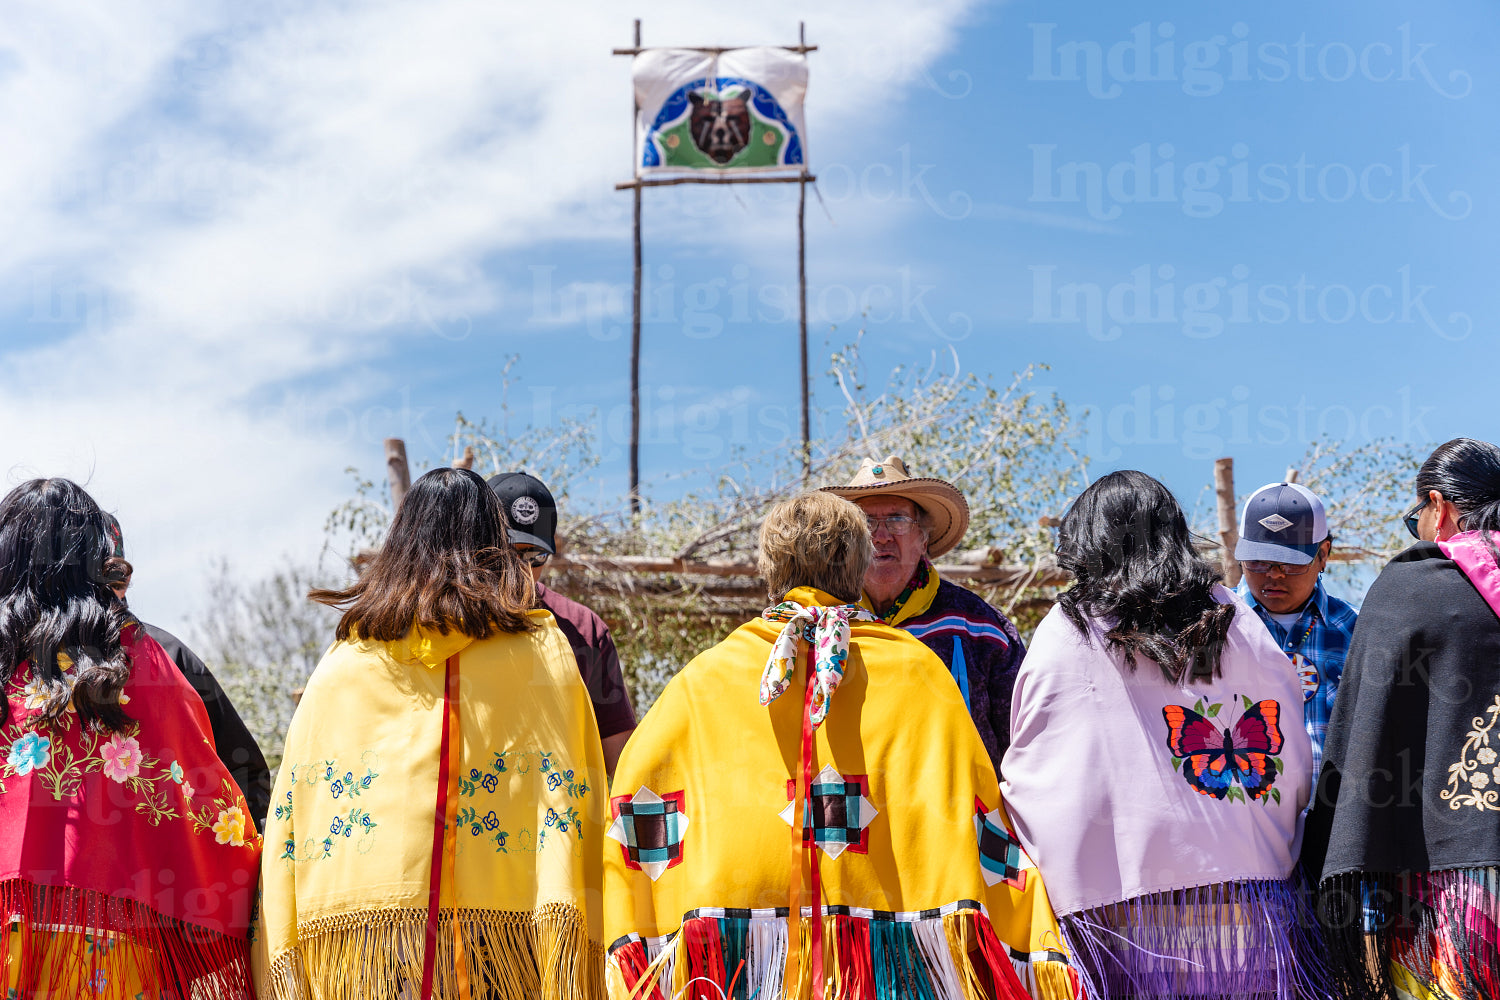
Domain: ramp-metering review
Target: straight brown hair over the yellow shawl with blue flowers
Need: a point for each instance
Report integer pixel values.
(446, 566)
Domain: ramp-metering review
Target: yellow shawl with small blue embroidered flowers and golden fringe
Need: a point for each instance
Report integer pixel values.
(349, 843)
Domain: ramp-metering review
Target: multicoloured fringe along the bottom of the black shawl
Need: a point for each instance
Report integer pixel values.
(1418, 935)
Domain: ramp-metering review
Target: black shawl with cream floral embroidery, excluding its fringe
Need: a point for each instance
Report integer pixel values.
(1421, 684)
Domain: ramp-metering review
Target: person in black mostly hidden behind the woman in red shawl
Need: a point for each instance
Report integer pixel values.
(232, 738)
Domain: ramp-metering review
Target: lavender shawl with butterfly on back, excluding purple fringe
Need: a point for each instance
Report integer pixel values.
(1093, 788)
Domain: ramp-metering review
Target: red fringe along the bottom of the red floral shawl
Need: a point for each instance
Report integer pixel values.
(77, 942)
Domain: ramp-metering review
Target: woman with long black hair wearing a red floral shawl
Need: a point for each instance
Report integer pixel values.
(127, 857)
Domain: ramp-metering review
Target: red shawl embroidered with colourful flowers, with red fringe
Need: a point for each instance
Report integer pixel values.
(136, 839)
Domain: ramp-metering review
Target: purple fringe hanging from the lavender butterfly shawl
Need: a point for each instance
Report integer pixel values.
(1240, 939)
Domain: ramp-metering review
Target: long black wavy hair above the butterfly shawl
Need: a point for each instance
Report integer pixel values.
(1130, 551)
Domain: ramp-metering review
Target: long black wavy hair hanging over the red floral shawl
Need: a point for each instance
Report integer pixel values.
(55, 597)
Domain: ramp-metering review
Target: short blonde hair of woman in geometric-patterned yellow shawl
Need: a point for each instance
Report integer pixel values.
(815, 540)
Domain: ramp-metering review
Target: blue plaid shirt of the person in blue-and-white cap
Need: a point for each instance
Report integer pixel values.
(1328, 626)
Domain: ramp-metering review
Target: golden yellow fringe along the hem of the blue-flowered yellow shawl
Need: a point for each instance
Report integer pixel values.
(377, 953)
